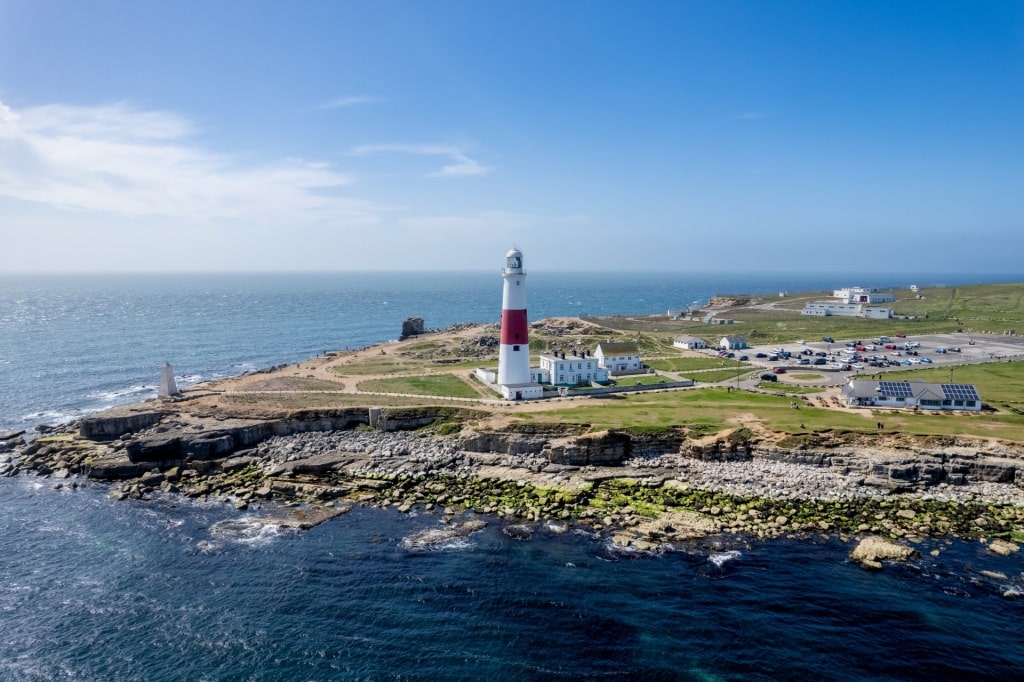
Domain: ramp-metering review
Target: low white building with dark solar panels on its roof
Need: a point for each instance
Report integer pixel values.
(922, 395)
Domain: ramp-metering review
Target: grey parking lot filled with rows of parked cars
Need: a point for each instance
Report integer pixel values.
(840, 359)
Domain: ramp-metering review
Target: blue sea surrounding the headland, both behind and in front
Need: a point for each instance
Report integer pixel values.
(176, 589)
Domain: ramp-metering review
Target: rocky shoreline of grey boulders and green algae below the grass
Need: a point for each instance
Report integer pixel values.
(643, 493)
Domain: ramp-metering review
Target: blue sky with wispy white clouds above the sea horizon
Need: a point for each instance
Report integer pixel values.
(861, 137)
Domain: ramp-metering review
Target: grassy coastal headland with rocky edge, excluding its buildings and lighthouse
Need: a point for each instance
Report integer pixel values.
(407, 424)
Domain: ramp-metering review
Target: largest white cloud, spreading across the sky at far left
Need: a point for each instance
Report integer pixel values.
(122, 160)
